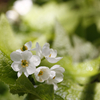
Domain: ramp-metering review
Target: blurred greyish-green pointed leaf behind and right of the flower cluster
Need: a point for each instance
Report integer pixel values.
(73, 45)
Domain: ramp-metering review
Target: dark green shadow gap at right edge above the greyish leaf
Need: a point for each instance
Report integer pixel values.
(89, 33)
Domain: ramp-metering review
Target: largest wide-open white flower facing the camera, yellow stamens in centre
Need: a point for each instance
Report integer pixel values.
(24, 62)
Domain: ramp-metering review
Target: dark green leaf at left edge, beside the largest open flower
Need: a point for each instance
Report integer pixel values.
(7, 75)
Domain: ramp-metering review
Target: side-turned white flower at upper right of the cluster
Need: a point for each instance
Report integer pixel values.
(48, 53)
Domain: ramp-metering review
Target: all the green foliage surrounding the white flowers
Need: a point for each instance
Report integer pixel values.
(72, 27)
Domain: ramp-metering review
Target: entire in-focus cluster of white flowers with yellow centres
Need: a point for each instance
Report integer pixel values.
(25, 62)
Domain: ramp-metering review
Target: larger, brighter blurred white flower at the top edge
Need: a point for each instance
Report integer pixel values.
(23, 6)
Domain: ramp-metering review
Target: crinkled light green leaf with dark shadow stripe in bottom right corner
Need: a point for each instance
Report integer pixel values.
(68, 90)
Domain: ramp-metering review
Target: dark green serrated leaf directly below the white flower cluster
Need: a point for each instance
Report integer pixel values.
(23, 86)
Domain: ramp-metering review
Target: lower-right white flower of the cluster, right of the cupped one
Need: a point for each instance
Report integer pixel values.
(56, 75)
